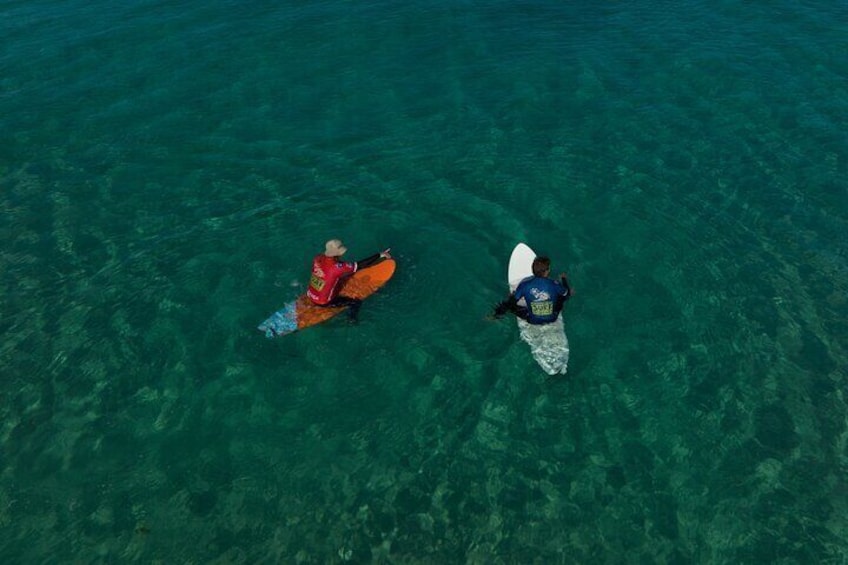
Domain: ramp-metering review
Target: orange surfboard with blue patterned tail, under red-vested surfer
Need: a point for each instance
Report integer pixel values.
(302, 313)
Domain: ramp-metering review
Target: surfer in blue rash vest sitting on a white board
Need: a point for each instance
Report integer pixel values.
(544, 297)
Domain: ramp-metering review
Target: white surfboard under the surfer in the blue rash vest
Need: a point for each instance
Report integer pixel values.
(548, 343)
